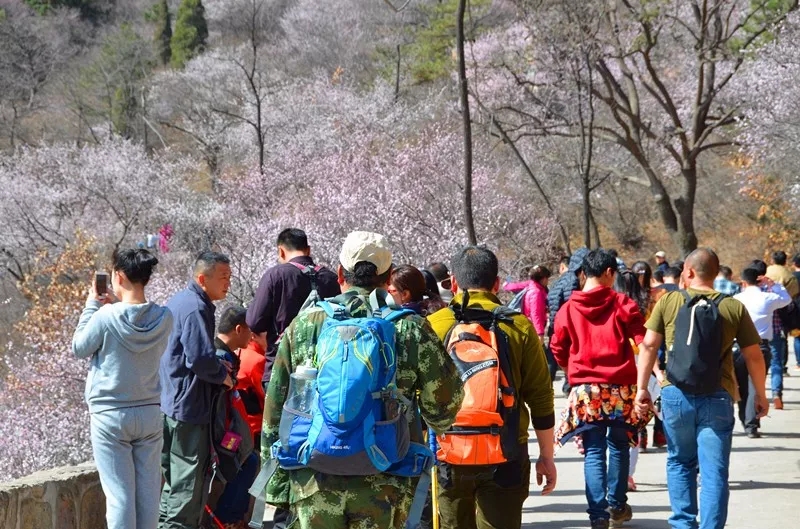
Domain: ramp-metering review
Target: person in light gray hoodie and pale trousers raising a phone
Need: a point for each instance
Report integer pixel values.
(125, 341)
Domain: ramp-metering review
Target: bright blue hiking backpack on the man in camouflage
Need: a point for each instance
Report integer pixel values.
(359, 424)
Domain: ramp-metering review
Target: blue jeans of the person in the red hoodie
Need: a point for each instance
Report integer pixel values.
(606, 484)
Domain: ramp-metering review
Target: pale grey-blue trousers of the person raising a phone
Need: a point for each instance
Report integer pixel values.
(126, 443)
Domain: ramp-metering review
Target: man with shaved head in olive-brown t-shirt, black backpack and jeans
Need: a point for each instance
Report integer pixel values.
(697, 408)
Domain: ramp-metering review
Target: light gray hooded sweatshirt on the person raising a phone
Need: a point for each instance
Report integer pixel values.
(125, 342)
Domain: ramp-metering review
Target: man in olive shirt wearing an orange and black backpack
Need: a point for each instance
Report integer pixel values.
(475, 492)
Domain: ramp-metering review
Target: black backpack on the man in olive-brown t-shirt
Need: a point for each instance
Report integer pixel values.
(694, 364)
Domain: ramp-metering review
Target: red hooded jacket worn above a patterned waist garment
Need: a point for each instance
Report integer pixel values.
(592, 337)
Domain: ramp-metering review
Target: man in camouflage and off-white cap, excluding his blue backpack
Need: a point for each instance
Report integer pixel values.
(381, 501)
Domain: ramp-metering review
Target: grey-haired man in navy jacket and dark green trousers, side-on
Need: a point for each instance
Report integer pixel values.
(190, 372)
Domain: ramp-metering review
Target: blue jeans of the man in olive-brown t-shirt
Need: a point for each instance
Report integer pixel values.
(699, 432)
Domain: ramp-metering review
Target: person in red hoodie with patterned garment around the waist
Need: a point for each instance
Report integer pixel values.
(592, 342)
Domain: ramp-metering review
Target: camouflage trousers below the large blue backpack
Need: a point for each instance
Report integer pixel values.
(353, 508)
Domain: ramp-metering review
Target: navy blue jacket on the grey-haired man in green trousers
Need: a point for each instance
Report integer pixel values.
(190, 370)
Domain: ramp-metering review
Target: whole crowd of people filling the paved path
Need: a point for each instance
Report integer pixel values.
(337, 395)
